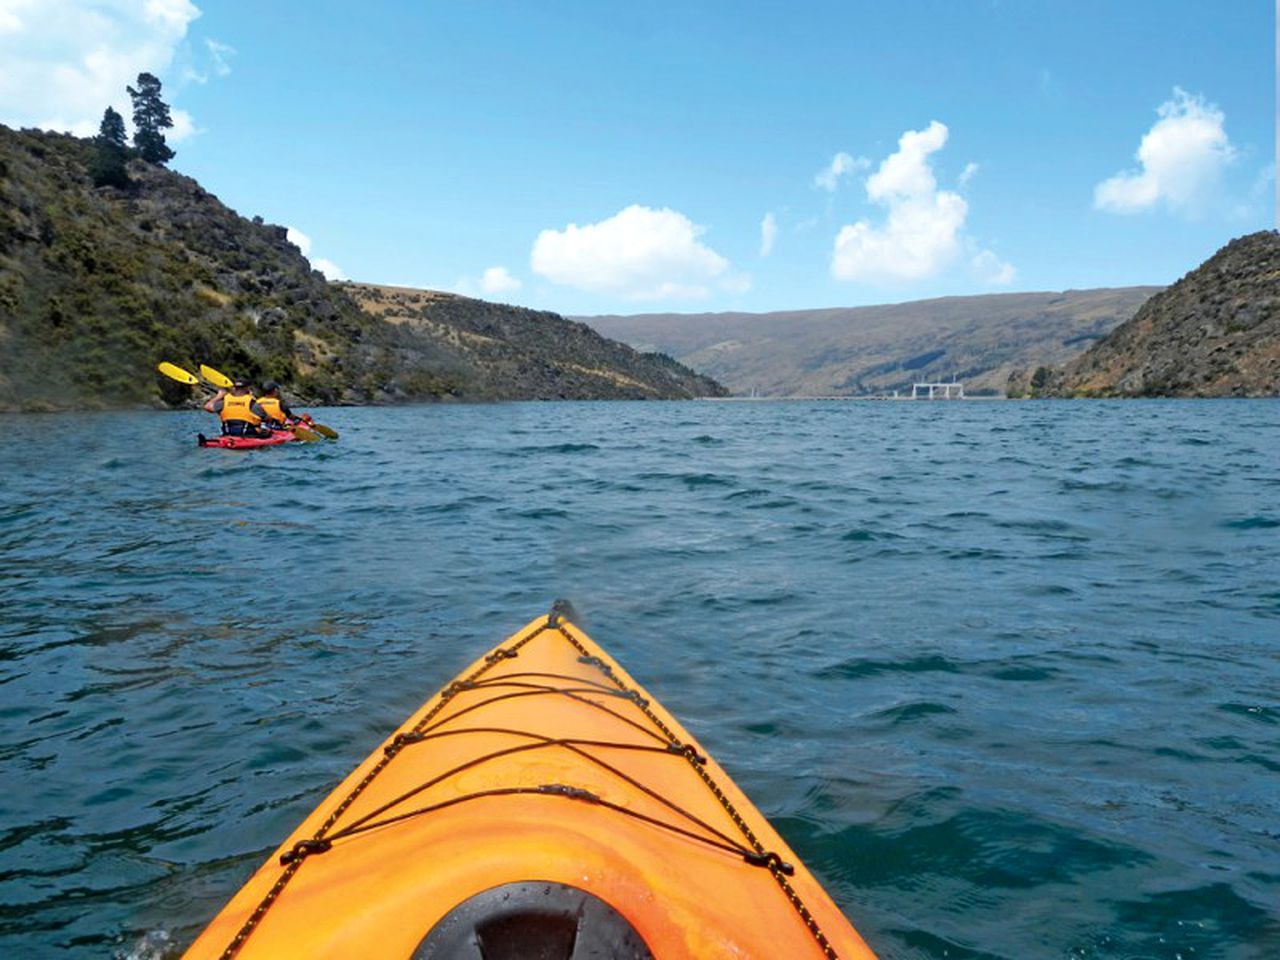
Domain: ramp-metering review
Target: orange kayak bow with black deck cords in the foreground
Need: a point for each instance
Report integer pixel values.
(545, 762)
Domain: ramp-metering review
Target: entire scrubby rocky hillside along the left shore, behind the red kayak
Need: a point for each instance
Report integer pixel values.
(98, 285)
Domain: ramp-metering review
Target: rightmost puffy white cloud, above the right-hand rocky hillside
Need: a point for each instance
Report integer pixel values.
(1182, 159)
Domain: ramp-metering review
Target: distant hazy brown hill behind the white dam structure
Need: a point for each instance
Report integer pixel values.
(857, 351)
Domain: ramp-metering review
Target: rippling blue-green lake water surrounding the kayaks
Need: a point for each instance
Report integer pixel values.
(1007, 675)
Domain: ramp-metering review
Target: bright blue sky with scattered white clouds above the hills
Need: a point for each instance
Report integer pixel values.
(694, 157)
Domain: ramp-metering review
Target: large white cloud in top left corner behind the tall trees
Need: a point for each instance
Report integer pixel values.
(65, 62)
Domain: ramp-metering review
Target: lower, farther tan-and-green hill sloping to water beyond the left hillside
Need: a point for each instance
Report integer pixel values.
(515, 354)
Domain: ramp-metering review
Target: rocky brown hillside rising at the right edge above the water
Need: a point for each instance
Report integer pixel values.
(1215, 333)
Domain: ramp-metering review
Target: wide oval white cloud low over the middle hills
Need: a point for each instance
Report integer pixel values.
(638, 254)
